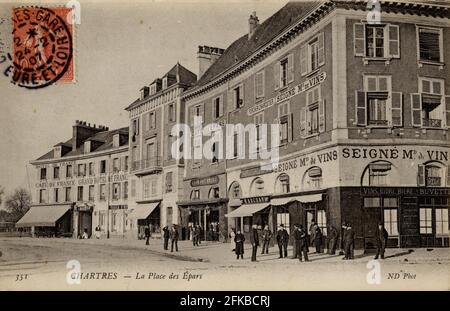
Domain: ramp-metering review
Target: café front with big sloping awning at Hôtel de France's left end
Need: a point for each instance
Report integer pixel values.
(54, 220)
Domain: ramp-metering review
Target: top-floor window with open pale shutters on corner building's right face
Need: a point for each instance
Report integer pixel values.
(376, 41)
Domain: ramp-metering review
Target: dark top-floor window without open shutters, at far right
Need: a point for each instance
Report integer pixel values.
(430, 45)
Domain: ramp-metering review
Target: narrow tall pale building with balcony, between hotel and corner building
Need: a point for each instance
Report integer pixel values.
(156, 174)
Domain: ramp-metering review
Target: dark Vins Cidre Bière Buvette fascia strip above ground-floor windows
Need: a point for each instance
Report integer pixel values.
(404, 191)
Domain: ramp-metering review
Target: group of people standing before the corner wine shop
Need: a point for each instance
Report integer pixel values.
(302, 240)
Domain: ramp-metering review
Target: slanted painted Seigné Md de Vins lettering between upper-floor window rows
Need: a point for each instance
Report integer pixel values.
(302, 87)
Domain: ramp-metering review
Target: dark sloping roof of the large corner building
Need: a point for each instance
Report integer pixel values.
(264, 33)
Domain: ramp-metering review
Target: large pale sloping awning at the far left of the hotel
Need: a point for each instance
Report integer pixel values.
(43, 216)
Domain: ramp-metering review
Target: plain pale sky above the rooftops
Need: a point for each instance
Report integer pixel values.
(119, 47)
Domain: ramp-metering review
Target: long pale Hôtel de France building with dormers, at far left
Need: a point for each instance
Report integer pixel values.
(81, 184)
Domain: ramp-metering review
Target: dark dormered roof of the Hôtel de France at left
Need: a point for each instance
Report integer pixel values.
(104, 137)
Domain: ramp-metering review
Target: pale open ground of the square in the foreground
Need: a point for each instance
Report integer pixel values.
(44, 263)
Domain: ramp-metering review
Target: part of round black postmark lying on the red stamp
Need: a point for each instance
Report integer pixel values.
(42, 47)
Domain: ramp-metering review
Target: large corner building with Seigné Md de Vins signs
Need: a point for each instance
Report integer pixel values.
(363, 111)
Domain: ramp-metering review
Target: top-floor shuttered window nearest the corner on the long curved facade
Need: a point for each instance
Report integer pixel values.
(312, 55)
